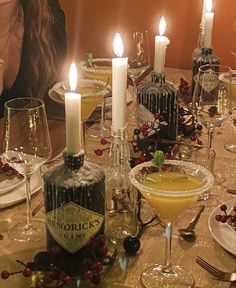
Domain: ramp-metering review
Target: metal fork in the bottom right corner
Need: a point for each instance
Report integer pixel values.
(216, 273)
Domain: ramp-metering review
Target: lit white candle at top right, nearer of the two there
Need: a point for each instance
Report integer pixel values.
(209, 17)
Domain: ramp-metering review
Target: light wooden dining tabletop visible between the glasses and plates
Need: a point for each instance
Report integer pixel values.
(126, 270)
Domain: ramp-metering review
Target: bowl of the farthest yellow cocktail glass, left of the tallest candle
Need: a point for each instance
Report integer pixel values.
(101, 70)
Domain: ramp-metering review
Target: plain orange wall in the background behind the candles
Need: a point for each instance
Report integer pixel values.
(91, 26)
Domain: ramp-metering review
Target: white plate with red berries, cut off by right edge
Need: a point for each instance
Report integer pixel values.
(224, 235)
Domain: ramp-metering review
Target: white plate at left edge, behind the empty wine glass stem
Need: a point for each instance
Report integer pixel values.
(18, 194)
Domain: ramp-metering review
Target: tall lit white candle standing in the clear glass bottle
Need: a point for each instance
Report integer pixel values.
(119, 85)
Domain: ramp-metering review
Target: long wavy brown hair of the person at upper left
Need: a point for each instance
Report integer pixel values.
(42, 53)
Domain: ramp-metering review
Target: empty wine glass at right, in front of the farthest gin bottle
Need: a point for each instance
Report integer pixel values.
(212, 97)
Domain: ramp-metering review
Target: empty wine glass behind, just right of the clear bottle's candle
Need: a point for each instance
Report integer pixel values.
(136, 48)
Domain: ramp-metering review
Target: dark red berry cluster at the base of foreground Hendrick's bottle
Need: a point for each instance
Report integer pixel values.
(50, 268)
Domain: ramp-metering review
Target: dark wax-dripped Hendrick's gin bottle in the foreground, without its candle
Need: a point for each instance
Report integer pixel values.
(74, 205)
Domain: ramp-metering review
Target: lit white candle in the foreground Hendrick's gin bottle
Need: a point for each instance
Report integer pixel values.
(73, 114)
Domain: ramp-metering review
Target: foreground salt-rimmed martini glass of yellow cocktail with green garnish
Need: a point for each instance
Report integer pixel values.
(170, 193)
